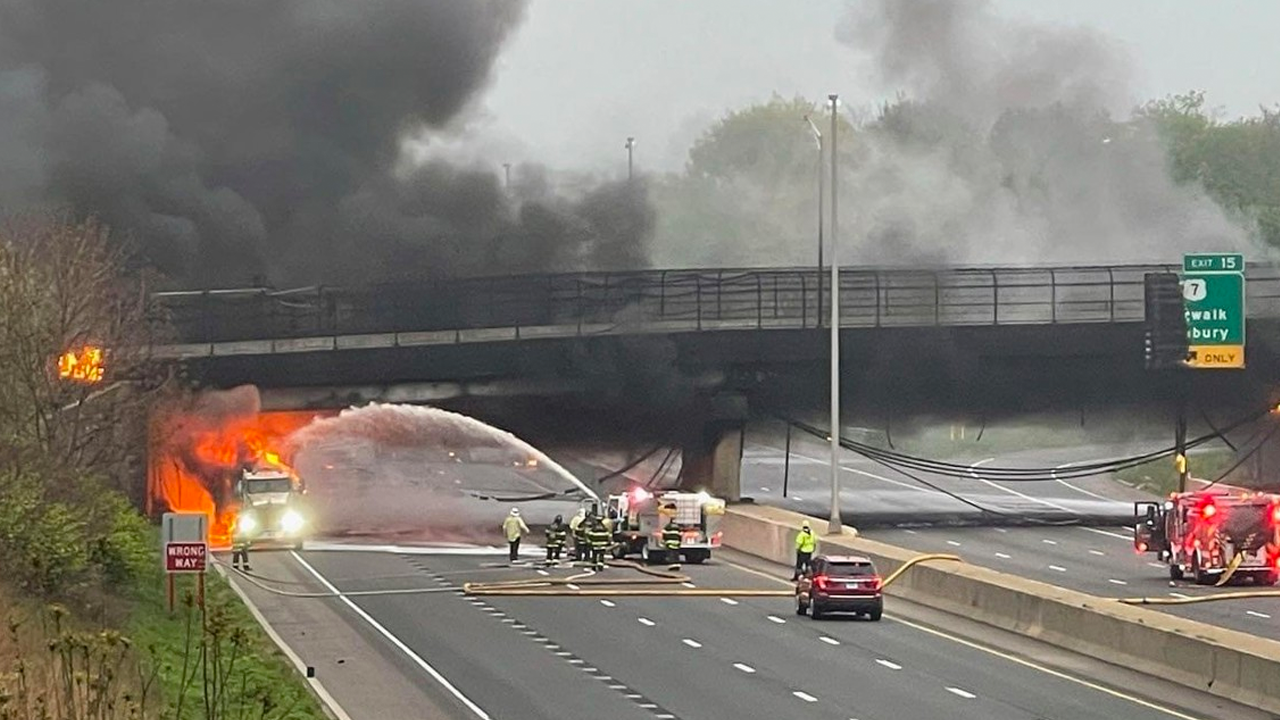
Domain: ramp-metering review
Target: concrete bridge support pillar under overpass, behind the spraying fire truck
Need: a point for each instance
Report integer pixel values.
(714, 462)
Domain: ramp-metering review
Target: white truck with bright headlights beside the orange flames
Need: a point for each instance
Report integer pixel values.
(272, 509)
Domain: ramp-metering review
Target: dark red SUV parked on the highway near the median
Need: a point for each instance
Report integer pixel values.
(840, 584)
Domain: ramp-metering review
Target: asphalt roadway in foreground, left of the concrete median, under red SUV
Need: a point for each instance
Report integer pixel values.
(440, 654)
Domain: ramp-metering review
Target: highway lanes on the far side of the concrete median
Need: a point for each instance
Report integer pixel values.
(1098, 560)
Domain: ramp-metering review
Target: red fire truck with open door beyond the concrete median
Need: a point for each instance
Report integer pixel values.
(1205, 535)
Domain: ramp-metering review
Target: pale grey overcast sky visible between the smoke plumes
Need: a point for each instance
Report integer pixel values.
(580, 76)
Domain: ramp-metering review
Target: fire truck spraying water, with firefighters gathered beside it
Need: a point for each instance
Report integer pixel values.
(641, 516)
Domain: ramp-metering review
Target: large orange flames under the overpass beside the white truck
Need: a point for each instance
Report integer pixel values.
(196, 471)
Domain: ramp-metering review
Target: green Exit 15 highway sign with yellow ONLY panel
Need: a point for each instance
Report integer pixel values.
(1214, 302)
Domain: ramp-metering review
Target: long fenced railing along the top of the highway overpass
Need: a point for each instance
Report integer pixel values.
(595, 303)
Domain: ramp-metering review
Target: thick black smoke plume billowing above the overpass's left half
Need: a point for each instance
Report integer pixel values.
(236, 140)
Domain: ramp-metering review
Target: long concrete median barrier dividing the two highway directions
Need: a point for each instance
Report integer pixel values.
(1217, 660)
